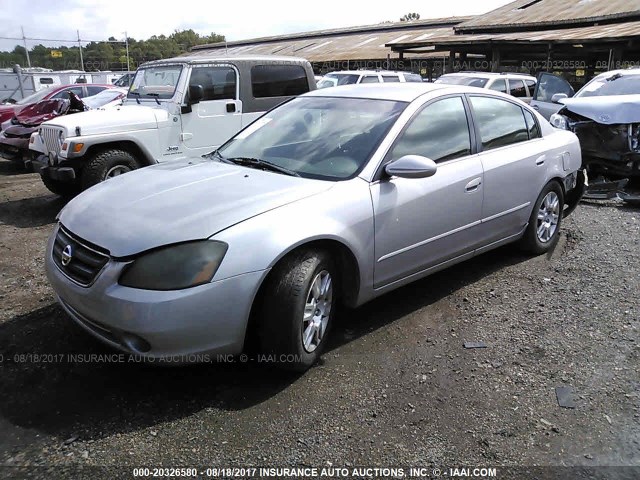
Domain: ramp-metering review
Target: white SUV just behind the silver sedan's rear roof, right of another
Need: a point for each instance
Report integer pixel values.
(518, 85)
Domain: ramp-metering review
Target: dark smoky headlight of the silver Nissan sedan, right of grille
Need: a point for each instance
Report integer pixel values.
(176, 267)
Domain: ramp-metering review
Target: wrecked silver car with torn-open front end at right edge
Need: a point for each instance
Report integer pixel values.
(605, 115)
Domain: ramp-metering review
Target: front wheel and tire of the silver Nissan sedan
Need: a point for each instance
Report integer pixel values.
(293, 339)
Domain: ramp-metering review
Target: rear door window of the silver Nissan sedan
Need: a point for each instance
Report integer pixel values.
(501, 122)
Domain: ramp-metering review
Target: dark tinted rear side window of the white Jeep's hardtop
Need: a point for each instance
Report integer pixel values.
(278, 80)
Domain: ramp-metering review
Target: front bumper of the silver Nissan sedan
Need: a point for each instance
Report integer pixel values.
(179, 326)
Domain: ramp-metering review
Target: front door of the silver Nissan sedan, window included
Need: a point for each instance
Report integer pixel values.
(420, 223)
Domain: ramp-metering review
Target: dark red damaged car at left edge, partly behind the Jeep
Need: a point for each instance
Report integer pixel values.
(16, 133)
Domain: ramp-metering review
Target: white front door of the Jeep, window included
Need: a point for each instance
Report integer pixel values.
(218, 116)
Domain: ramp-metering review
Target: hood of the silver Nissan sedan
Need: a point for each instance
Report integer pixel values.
(176, 202)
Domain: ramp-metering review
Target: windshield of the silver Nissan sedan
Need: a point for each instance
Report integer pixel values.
(317, 137)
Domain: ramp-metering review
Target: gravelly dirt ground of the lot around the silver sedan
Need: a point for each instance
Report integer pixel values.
(396, 387)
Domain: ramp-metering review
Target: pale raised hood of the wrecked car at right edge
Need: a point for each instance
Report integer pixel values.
(607, 110)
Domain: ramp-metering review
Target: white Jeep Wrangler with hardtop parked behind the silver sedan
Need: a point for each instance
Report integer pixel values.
(175, 108)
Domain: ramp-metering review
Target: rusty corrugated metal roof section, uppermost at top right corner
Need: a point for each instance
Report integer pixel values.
(551, 13)
